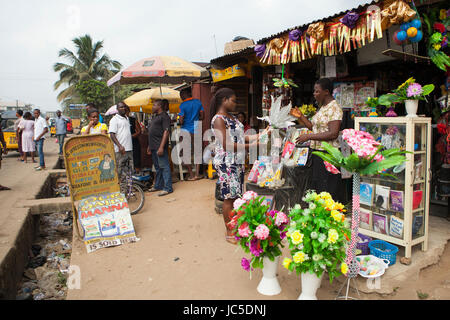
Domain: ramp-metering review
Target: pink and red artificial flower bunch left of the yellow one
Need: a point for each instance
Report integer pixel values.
(258, 230)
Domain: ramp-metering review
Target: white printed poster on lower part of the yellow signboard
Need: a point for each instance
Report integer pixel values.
(106, 221)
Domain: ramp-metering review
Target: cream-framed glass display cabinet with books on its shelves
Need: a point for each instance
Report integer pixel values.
(396, 209)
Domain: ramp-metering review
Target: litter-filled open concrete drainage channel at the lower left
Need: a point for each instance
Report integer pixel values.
(37, 265)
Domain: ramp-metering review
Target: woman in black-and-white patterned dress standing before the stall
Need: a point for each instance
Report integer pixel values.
(228, 162)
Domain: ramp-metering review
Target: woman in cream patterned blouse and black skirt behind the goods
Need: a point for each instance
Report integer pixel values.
(325, 126)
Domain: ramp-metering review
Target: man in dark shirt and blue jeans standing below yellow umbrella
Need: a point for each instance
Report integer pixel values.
(158, 140)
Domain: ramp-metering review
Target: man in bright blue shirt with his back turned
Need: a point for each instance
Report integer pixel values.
(191, 111)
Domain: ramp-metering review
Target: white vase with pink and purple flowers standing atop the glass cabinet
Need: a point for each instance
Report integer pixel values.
(410, 93)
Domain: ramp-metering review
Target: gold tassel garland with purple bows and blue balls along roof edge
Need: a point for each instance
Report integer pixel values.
(351, 31)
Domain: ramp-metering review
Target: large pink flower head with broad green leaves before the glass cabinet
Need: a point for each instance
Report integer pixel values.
(367, 158)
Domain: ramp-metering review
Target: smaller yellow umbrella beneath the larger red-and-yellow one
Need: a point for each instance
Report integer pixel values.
(143, 100)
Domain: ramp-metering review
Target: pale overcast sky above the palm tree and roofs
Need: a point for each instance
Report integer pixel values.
(32, 33)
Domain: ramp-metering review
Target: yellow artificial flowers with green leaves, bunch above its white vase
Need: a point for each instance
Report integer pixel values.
(317, 236)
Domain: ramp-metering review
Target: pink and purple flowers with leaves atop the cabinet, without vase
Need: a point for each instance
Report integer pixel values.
(408, 90)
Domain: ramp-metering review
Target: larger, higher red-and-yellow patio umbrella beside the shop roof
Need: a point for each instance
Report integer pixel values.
(165, 69)
